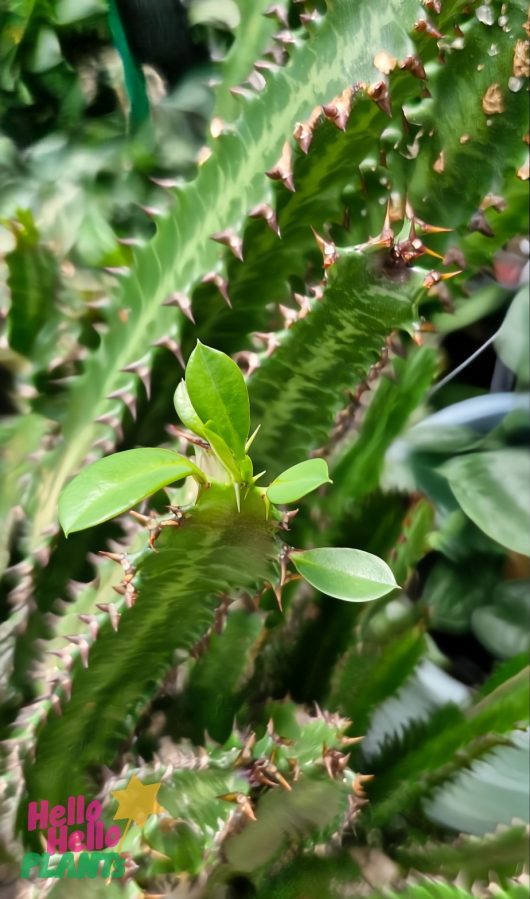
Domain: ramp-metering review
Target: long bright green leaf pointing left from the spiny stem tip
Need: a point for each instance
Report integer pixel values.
(112, 485)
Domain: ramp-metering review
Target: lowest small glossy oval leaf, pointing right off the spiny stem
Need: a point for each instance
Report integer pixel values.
(349, 574)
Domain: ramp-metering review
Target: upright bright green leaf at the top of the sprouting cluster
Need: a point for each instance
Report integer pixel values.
(219, 395)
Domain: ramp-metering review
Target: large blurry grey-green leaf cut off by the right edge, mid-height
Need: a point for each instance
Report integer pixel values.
(493, 489)
